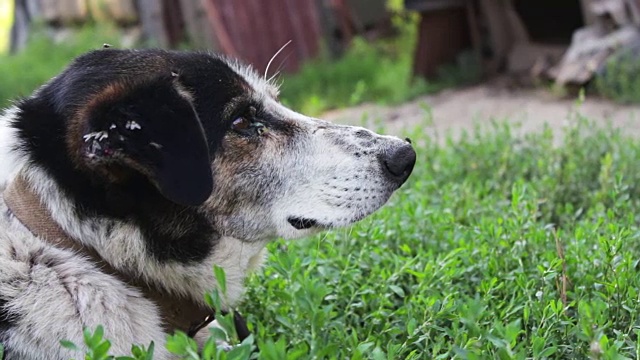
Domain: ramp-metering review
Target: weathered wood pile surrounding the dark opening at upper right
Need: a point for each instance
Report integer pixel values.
(610, 25)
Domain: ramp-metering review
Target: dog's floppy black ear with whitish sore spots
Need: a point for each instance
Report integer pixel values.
(152, 128)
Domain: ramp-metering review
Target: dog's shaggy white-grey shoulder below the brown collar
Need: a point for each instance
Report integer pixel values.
(49, 294)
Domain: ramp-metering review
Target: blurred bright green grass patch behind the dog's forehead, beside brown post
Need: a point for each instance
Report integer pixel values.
(379, 72)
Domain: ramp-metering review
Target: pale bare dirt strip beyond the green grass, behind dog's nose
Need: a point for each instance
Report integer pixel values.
(459, 109)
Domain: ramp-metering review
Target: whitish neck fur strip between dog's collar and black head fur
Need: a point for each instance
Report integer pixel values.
(122, 245)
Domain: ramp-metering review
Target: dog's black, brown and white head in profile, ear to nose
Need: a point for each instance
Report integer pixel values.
(205, 132)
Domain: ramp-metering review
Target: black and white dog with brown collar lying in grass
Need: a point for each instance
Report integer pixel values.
(129, 175)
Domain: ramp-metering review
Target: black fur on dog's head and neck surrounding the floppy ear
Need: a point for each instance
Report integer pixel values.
(172, 232)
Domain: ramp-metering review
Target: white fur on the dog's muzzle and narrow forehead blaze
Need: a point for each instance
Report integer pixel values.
(333, 174)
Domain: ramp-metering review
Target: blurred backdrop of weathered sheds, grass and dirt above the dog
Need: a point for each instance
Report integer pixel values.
(343, 53)
